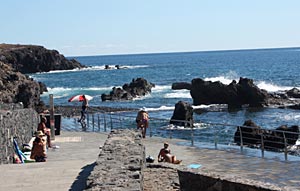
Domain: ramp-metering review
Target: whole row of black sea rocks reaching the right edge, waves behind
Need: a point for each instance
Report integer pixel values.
(236, 95)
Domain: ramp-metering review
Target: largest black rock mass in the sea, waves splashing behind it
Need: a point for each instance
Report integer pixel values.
(234, 94)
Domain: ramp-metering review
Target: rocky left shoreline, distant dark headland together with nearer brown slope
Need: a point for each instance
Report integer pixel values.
(17, 60)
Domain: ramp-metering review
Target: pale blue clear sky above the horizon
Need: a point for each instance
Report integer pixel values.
(109, 27)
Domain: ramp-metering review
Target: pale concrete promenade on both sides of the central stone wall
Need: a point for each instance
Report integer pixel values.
(68, 166)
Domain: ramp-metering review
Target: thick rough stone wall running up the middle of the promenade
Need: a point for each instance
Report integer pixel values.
(120, 163)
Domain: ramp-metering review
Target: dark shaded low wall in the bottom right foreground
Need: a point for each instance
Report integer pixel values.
(207, 181)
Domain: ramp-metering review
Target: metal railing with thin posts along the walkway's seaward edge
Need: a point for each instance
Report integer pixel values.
(215, 134)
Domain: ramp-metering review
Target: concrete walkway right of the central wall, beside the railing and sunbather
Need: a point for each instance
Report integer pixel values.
(273, 174)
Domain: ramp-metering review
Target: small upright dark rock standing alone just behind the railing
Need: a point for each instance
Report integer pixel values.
(183, 112)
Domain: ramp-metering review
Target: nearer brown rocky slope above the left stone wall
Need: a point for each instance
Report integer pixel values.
(16, 87)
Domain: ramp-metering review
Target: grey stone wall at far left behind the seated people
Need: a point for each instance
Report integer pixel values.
(19, 123)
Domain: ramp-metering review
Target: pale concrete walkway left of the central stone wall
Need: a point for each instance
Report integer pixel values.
(66, 168)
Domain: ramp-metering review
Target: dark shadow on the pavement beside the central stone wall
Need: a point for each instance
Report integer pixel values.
(80, 182)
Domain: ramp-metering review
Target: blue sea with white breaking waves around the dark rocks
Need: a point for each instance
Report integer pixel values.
(271, 69)
